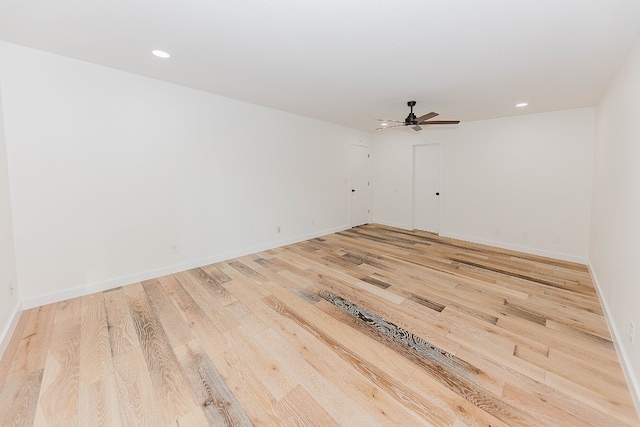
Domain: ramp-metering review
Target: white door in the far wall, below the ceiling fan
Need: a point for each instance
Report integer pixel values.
(426, 187)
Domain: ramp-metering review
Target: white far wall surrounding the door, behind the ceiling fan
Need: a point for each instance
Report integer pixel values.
(528, 173)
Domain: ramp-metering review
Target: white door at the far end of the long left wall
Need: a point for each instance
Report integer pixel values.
(360, 201)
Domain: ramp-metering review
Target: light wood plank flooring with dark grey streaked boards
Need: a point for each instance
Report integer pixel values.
(369, 326)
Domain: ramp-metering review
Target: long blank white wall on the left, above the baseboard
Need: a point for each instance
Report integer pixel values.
(109, 170)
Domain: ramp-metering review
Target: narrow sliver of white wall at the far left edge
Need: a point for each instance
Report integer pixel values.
(9, 304)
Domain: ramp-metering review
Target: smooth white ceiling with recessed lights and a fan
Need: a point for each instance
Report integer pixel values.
(350, 61)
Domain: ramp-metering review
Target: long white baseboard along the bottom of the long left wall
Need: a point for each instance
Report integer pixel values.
(90, 288)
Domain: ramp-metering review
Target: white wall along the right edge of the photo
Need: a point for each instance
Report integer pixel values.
(615, 227)
